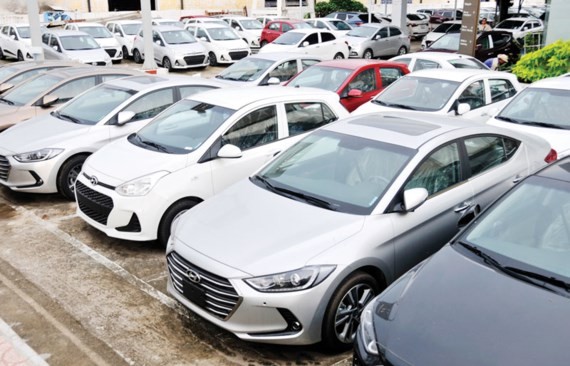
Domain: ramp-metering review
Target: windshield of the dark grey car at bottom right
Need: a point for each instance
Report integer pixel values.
(529, 228)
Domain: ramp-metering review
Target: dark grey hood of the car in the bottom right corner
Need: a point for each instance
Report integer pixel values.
(454, 310)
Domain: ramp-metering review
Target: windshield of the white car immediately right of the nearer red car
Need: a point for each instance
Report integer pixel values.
(418, 93)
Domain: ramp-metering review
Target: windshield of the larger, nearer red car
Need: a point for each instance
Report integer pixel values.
(322, 77)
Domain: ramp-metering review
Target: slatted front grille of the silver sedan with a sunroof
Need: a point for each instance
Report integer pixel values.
(211, 292)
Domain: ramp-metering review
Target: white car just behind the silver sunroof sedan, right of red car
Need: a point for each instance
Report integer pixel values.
(468, 93)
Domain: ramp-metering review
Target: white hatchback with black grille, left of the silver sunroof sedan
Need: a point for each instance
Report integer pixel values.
(215, 137)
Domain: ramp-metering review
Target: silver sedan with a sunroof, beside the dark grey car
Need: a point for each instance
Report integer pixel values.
(331, 221)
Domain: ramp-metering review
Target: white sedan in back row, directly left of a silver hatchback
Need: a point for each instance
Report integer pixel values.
(311, 41)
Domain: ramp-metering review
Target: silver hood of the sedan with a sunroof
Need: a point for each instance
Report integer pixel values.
(258, 232)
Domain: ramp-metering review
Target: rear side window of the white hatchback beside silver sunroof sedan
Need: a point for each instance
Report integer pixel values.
(303, 117)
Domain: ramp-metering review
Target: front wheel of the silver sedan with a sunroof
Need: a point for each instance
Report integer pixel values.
(339, 331)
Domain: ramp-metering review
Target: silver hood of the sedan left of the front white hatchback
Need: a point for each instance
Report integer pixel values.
(38, 133)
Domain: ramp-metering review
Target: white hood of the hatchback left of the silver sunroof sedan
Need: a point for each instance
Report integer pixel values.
(121, 161)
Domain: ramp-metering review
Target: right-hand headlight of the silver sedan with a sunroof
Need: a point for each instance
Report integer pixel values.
(295, 280)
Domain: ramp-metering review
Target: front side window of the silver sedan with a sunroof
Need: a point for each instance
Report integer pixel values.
(441, 170)
